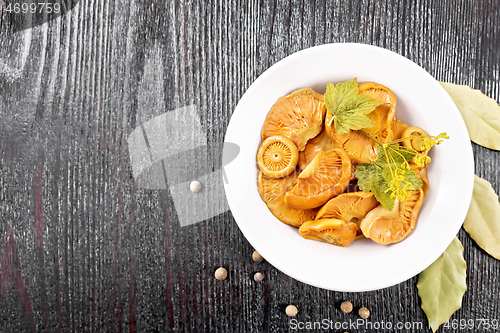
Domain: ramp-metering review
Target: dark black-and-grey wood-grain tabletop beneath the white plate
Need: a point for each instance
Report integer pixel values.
(84, 249)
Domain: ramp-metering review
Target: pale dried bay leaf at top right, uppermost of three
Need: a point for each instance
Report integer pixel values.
(481, 114)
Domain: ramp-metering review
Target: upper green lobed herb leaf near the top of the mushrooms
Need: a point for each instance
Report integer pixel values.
(348, 107)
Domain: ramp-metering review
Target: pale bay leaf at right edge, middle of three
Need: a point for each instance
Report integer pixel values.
(482, 222)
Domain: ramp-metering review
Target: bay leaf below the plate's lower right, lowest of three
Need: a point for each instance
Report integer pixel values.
(442, 285)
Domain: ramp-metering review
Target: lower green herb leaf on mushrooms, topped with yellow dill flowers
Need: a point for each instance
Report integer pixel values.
(378, 176)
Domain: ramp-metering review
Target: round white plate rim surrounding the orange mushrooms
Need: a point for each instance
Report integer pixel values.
(363, 265)
